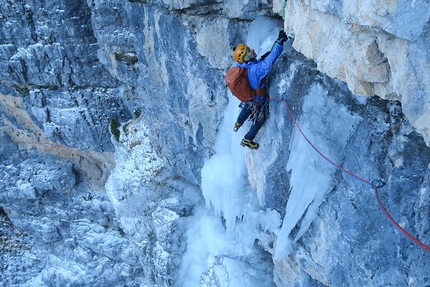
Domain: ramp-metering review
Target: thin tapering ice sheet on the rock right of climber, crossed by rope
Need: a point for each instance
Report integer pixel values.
(311, 174)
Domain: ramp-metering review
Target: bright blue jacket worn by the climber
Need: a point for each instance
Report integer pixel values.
(258, 69)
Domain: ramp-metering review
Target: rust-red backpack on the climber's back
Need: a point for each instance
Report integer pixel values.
(237, 81)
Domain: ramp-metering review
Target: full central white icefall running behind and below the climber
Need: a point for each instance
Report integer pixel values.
(222, 234)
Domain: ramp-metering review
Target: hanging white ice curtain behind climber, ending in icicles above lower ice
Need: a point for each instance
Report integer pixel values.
(224, 175)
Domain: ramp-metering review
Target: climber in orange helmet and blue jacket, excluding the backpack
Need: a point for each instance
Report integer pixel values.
(258, 108)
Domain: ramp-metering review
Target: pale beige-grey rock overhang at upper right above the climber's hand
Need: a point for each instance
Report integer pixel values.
(377, 47)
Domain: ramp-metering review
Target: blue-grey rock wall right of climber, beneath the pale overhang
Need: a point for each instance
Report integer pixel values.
(342, 236)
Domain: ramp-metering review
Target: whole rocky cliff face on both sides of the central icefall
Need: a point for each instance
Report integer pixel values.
(106, 105)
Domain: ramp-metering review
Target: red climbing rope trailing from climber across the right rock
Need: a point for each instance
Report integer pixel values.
(375, 184)
